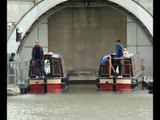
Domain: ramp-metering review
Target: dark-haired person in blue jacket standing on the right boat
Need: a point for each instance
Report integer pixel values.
(118, 55)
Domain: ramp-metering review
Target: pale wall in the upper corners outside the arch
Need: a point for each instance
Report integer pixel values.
(16, 8)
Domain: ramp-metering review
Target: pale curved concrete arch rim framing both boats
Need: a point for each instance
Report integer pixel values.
(40, 9)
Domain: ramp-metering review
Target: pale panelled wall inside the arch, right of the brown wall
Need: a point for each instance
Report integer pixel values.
(139, 43)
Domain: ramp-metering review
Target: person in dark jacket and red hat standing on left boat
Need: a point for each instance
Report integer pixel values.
(37, 59)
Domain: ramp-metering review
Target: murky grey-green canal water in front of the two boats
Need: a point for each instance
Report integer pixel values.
(82, 102)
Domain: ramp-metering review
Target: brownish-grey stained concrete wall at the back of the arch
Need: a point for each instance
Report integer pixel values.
(84, 35)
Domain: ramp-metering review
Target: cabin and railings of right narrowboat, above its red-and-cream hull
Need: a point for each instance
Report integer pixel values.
(130, 67)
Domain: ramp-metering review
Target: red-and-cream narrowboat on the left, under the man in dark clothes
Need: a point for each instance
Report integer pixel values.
(56, 78)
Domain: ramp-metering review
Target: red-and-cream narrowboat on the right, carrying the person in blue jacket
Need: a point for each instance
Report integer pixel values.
(130, 79)
